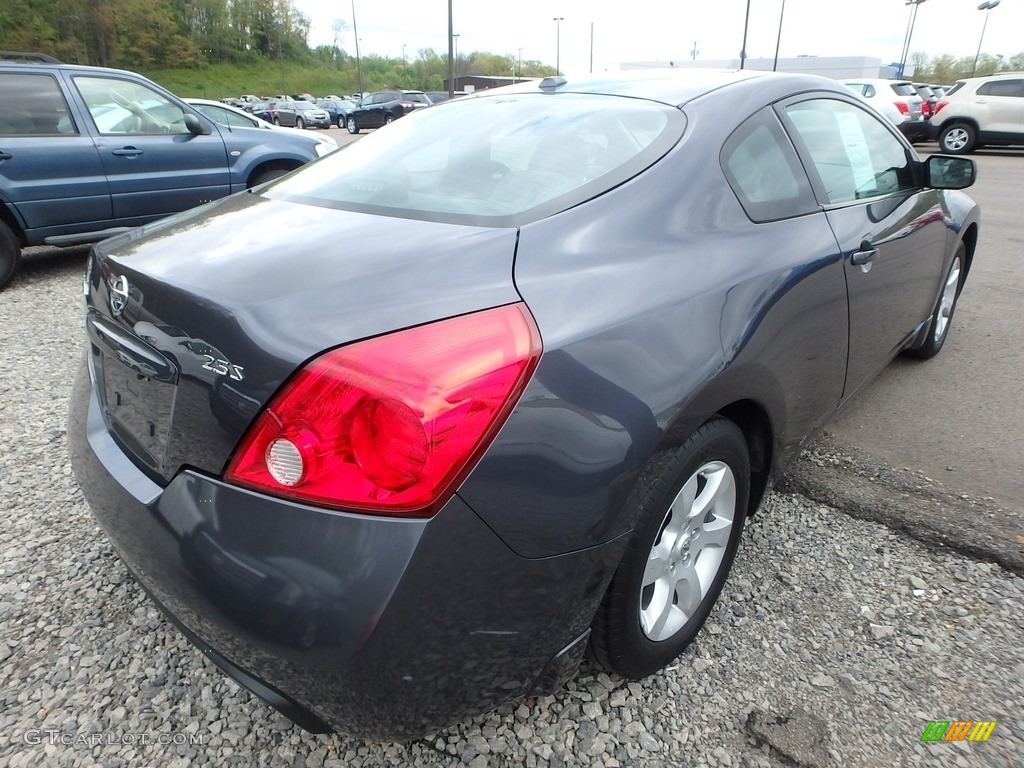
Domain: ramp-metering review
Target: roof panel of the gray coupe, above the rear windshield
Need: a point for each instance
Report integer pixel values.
(670, 87)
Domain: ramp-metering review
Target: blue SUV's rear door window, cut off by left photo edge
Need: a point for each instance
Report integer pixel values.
(33, 106)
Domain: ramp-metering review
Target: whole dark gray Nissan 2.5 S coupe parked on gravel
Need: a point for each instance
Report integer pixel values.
(536, 356)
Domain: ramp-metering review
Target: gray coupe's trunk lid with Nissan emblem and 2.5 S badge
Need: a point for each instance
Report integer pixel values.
(196, 321)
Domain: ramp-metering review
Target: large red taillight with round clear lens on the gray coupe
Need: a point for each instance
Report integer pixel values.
(393, 425)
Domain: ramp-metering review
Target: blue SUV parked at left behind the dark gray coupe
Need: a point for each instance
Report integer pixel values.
(88, 153)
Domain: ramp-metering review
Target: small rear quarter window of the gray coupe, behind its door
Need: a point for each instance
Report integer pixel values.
(764, 172)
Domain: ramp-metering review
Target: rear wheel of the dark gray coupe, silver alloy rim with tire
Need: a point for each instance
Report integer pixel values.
(691, 515)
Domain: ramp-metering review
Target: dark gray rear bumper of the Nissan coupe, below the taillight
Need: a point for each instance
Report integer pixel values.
(377, 627)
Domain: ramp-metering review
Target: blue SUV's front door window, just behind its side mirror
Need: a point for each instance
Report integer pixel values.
(121, 107)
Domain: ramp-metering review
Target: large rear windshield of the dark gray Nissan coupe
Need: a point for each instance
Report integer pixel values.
(493, 161)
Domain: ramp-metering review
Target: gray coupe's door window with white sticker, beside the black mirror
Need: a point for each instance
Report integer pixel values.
(855, 155)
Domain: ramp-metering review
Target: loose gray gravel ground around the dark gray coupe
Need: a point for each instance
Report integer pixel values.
(836, 643)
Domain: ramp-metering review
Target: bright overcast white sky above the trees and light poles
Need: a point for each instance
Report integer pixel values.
(666, 30)
